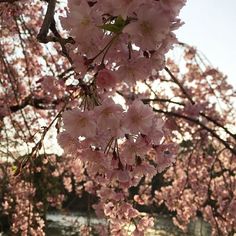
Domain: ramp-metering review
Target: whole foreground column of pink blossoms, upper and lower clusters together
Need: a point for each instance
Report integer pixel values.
(117, 44)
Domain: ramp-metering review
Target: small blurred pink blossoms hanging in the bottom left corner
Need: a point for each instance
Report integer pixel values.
(24, 214)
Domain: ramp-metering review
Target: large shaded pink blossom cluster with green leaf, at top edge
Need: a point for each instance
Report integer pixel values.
(128, 38)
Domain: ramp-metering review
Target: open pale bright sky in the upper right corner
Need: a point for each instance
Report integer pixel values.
(210, 25)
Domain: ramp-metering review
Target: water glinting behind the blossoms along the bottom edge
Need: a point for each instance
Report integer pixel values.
(63, 225)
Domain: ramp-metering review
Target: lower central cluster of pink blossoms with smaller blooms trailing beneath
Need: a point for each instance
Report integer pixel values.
(118, 148)
